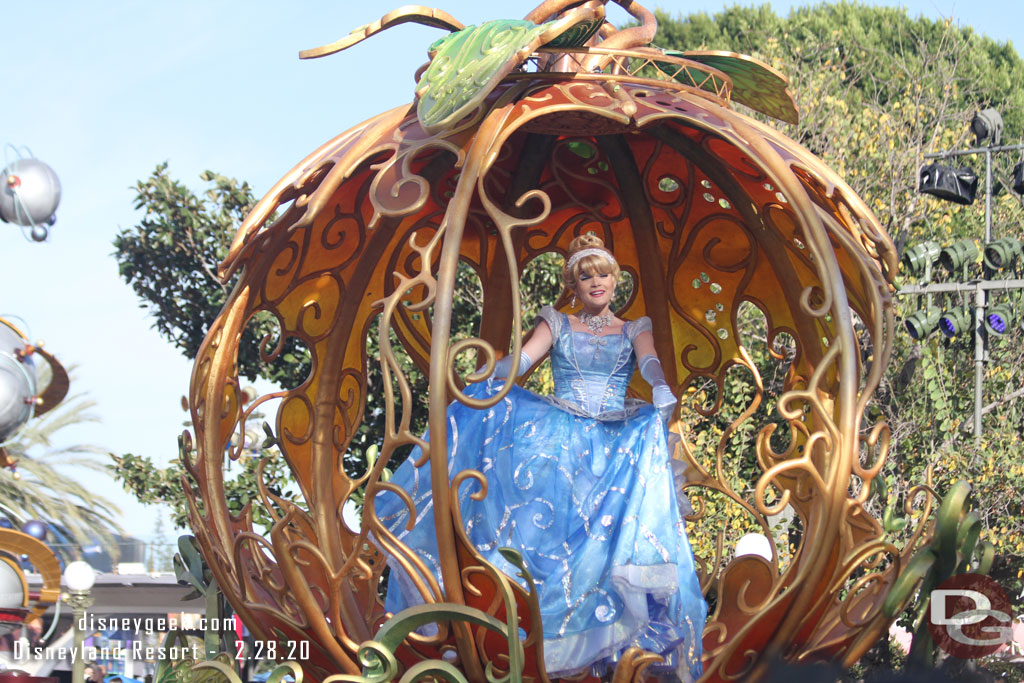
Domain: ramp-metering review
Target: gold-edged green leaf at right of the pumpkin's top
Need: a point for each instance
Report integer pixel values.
(754, 83)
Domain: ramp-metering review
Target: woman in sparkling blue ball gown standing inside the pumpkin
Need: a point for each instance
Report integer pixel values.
(580, 484)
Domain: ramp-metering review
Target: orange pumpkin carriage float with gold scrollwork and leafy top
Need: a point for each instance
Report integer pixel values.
(526, 135)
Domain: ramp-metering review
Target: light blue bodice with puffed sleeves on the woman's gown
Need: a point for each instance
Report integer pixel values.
(592, 372)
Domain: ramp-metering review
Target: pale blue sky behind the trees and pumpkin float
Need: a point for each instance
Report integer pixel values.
(103, 92)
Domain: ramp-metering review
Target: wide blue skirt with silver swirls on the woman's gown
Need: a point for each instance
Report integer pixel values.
(591, 505)
